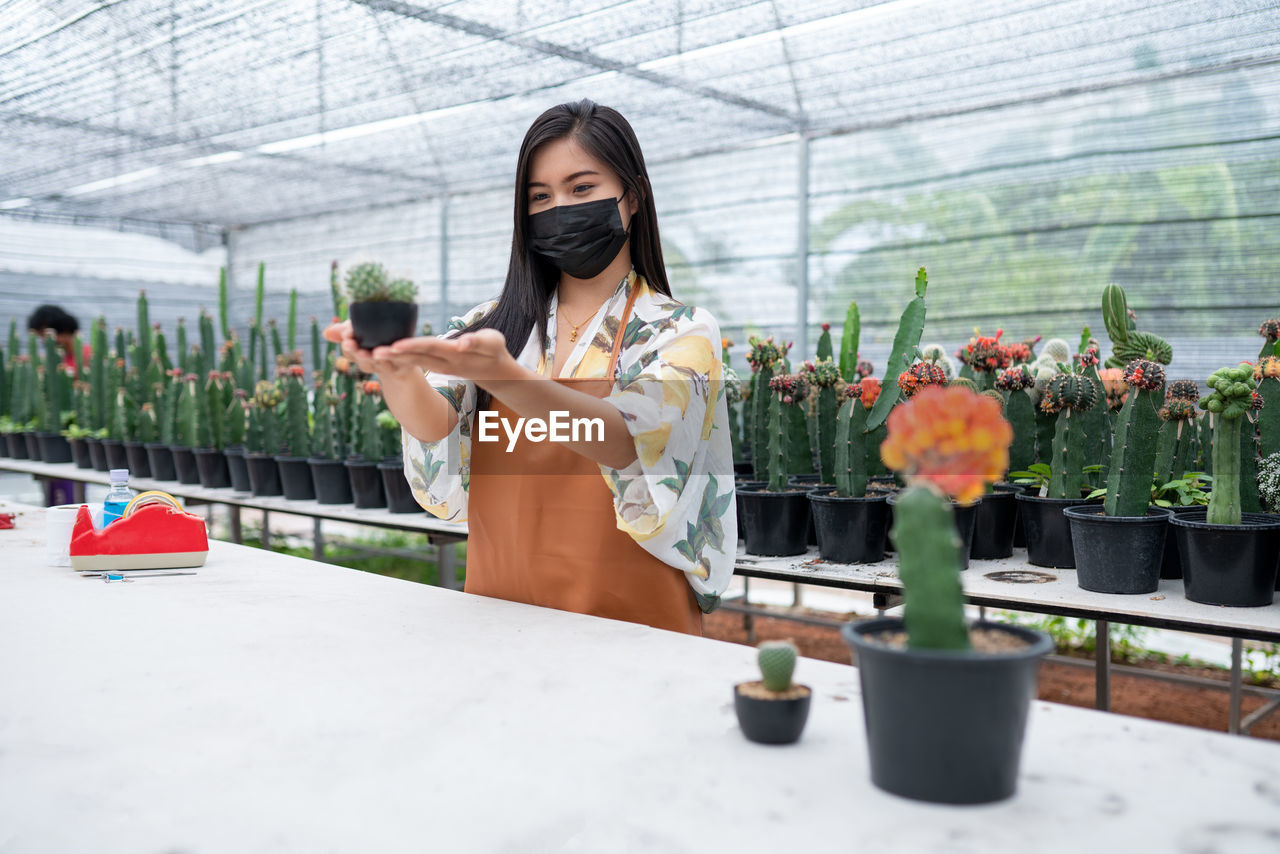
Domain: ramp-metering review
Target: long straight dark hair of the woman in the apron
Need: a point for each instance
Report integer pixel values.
(531, 278)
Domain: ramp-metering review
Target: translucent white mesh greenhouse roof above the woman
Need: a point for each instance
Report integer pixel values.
(260, 111)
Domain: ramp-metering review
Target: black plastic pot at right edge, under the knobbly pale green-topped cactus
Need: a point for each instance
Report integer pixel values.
(1233, 565)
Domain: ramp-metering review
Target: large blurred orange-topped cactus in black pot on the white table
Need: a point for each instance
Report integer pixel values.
(945, 705)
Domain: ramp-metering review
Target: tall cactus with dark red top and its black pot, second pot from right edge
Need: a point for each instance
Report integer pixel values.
(1121, 547)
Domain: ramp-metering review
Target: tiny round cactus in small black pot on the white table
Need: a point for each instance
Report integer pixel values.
(774, 710)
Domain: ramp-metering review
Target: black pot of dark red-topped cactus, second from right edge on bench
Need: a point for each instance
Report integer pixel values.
(1118, 554)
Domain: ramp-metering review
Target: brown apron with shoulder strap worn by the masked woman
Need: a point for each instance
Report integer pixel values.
(542, 529)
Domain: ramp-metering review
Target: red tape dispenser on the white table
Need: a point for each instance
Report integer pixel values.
(152, 535)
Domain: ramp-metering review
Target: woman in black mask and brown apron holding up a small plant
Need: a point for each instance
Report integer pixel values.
(633, 518)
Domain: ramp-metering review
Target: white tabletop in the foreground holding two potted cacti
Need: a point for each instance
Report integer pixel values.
(278, 705)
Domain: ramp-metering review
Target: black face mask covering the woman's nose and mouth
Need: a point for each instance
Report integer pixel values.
(582, 240)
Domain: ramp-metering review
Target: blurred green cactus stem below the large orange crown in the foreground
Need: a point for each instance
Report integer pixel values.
(929, 555)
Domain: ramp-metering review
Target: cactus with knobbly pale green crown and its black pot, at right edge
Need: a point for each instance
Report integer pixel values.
(1229, 556)
